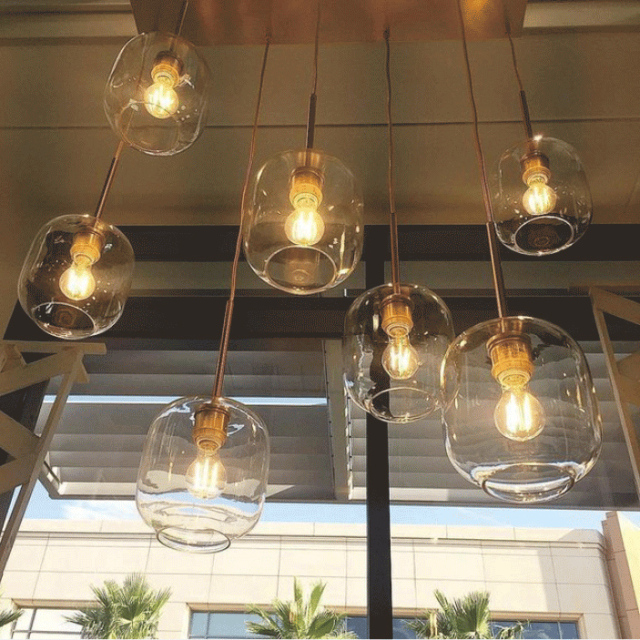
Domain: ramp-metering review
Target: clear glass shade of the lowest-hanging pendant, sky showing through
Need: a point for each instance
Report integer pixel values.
(184, 516)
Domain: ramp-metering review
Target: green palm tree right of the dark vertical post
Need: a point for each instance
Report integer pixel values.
(466, 617)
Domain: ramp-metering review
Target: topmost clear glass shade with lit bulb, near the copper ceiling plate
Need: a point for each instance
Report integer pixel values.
(156, 96)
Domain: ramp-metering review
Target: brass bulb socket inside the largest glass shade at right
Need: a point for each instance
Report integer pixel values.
(511, 359)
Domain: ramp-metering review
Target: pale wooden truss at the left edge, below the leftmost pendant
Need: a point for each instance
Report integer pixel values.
(27, 450)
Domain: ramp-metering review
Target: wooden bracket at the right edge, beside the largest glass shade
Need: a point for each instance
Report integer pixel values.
(624, 373)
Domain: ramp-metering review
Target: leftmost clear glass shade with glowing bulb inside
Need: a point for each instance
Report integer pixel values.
(76, 277)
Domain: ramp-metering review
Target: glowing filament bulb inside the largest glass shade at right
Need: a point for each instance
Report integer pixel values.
(519, 414)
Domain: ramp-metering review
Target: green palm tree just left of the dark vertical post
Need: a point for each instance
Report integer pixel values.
(299, 619)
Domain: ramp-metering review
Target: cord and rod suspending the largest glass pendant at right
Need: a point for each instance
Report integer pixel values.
(496, 266)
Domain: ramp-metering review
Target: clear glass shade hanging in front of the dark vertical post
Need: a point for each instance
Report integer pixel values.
(396, 380)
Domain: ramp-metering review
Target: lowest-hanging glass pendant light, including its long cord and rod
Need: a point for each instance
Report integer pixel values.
(203, 474)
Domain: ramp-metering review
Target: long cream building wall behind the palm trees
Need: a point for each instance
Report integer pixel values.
(535, 573)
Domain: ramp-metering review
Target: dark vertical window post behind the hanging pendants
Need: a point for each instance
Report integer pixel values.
(379, 606)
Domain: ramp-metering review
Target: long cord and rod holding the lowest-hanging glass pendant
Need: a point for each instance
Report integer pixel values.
(228, 312)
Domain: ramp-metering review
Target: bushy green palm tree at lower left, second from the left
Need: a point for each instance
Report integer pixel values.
(128, 611)
